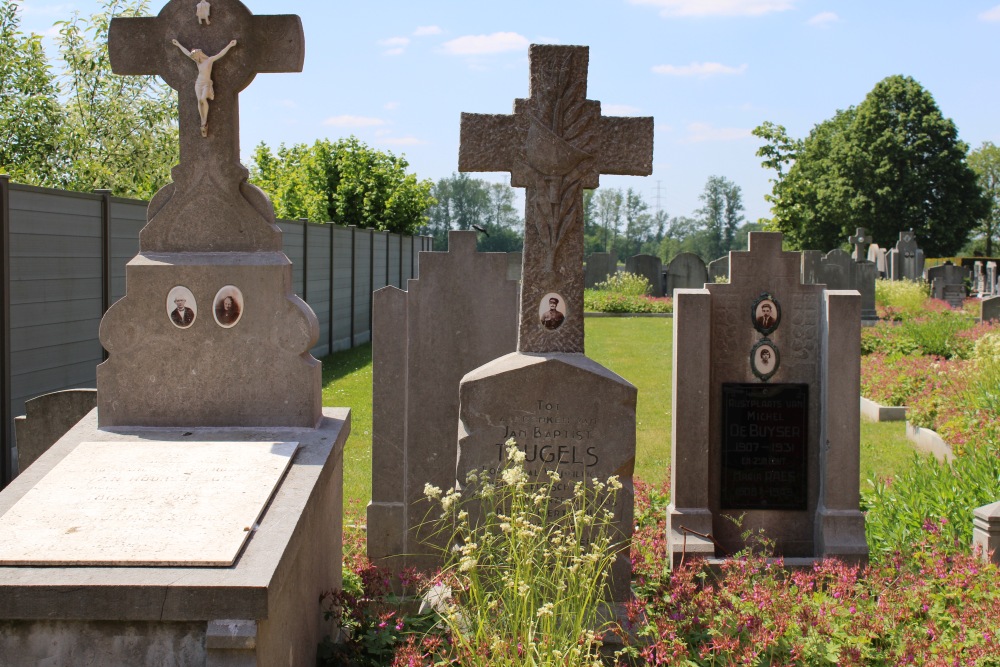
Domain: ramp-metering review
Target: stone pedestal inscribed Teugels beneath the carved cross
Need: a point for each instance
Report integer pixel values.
(567, 413)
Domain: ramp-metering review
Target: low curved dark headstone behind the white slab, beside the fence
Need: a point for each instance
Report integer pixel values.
(47, 418)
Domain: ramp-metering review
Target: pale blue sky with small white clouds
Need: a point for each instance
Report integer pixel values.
(398, 74)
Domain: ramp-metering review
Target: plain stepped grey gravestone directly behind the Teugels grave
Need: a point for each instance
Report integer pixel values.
(424, 340)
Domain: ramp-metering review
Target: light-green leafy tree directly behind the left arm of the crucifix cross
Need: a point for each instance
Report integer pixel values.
(120, 131)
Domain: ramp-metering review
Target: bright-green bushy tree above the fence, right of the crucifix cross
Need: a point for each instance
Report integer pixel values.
(344, 182)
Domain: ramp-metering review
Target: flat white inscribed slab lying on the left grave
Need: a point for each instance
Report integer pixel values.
(94, 507)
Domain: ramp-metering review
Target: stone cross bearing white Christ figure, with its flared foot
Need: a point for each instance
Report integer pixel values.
(209, 207)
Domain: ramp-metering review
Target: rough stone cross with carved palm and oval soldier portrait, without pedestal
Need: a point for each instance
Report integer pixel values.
(554, 145)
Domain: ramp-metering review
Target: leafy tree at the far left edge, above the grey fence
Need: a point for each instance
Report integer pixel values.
(30, 115)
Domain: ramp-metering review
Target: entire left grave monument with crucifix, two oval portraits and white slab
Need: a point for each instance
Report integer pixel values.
(197, 511)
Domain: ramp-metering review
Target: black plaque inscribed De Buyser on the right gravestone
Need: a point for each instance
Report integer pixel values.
(764, 446)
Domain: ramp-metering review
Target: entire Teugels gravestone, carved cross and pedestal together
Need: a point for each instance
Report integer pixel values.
(565, 411)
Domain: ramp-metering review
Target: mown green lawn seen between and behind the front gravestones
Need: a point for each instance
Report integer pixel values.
(640, 350)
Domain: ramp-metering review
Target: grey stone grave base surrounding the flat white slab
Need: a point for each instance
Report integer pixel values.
(263, 610)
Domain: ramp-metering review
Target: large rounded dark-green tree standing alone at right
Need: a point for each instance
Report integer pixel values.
(892, 163)
